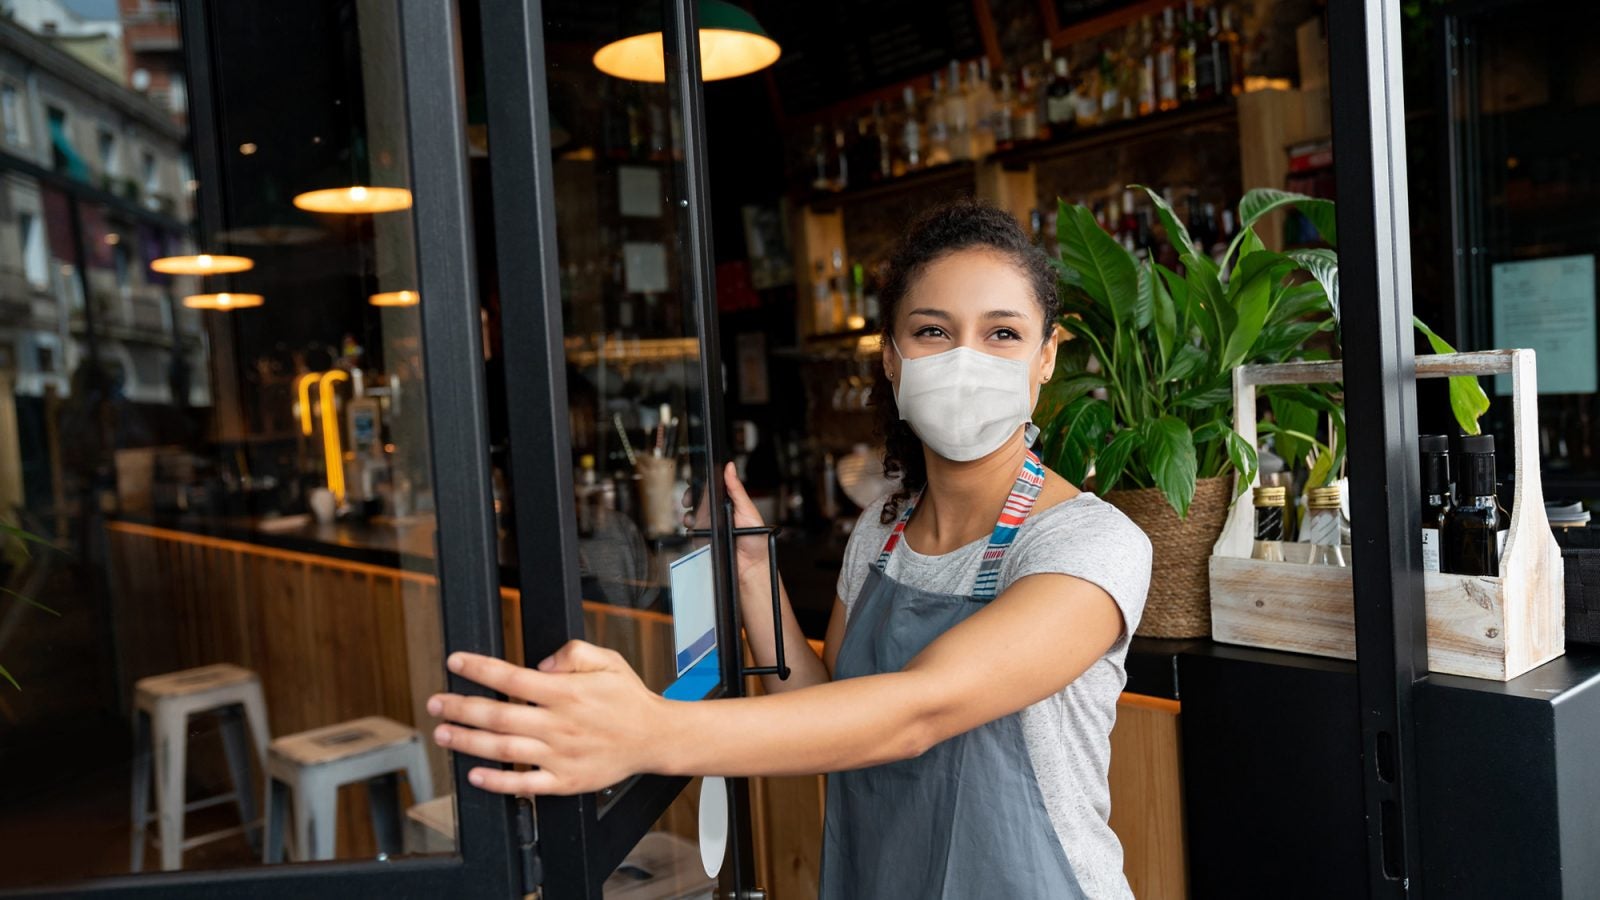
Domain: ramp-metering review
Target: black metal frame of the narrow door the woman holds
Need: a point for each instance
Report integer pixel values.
(580, 840)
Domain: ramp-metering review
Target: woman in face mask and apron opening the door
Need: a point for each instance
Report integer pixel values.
(967, 691)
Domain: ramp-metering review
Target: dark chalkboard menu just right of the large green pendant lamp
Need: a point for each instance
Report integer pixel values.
(839, 49)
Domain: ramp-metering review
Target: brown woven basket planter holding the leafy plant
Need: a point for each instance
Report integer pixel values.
(1180, 601)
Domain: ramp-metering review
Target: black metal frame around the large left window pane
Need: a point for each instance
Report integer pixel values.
(489, 861)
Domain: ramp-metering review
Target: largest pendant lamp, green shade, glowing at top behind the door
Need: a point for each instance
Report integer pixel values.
(732, 44)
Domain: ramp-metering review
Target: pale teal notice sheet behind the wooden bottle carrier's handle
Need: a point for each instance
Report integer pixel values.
(1550, 308)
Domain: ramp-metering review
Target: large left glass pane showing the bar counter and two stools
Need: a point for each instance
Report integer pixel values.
(231, 468)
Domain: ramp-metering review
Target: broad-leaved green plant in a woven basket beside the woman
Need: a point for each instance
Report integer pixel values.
(1143, 398)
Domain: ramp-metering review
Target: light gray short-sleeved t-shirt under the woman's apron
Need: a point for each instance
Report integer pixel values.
(1070, 733)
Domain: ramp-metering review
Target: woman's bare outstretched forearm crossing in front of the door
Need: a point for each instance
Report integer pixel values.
(830, 728)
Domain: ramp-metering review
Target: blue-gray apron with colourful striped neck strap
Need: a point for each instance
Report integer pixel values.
(966, 819)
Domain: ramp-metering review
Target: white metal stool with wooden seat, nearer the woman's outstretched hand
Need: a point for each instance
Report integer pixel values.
(313, 766)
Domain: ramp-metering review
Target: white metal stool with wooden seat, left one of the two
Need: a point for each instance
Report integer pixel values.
(161, 729)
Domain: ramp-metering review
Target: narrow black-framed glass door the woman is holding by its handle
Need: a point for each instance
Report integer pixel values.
(614, 398)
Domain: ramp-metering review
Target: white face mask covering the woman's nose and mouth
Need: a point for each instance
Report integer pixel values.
(964, 404)
